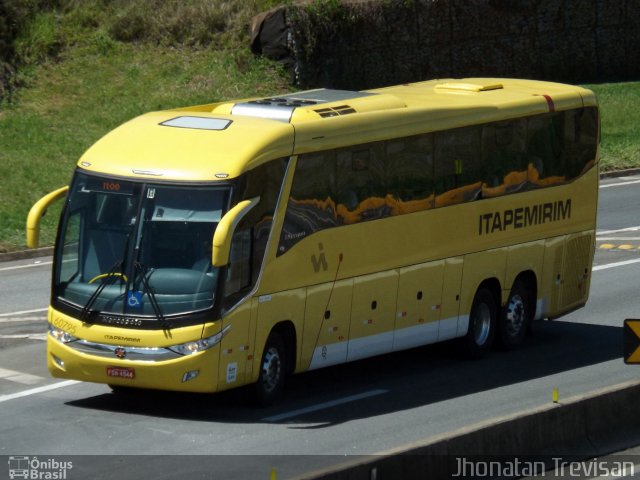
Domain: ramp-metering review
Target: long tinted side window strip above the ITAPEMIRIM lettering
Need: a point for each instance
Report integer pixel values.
(411, 174)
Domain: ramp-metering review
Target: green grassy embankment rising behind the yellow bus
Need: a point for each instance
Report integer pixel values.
(89, 66)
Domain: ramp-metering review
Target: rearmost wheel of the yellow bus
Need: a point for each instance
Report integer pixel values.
(516, 317)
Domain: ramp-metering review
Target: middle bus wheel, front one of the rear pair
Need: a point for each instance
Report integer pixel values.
(482, 324)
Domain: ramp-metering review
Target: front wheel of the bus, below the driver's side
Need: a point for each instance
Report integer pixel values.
(273, 368)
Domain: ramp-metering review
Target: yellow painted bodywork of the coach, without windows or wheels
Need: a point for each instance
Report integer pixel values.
(362, 288)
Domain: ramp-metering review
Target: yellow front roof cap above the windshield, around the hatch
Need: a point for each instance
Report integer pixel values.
(142, 148)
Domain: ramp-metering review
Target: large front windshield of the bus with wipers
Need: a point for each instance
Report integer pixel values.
(137, 249)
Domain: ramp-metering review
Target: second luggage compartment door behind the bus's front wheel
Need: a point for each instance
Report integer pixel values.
(373, 309)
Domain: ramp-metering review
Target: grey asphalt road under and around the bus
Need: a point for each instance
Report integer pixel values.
(362, 408)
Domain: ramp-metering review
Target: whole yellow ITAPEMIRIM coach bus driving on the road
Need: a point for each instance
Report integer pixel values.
(220, 245)
